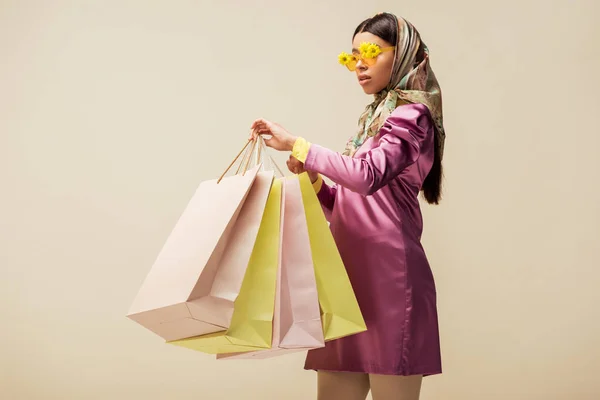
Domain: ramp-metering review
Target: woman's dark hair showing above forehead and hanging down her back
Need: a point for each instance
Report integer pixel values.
(385, 26)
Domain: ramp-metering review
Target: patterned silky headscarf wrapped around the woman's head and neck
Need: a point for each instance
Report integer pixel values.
(412, 81)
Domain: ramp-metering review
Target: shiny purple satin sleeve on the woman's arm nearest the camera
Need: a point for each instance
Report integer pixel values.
(400, 141)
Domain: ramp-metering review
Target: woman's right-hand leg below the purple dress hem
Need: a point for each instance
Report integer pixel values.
(385, 387)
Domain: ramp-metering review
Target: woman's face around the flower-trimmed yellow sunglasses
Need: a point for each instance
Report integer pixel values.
(375, 78)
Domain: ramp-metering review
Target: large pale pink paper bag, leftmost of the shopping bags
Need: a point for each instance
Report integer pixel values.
(197, 275)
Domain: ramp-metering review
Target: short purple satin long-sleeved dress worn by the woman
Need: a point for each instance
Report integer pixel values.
(376, 221)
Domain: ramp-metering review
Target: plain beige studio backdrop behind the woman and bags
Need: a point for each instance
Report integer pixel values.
(111, 112)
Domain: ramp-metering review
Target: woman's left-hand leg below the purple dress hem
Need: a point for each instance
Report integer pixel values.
(342, 385)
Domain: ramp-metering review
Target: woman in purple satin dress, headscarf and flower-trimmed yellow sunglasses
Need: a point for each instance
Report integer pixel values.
(374, 215)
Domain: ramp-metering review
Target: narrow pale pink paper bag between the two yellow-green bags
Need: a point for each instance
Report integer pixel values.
(297, 319)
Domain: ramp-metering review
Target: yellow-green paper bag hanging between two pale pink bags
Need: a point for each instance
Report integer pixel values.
(251, 325)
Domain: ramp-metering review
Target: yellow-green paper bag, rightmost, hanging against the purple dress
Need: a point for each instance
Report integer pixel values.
(340, 313)
